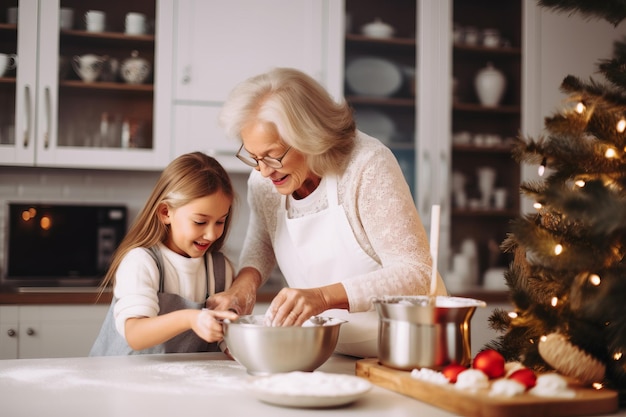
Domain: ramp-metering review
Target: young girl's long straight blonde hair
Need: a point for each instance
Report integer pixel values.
(186, 178)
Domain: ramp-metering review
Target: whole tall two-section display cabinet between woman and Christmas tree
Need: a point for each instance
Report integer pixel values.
(440, 83)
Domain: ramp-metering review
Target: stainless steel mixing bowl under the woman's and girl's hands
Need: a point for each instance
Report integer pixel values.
(264, 350)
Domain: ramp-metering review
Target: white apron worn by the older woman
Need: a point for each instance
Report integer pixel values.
(320, 249)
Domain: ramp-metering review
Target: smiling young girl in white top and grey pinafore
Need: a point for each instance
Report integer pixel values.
(169, 263)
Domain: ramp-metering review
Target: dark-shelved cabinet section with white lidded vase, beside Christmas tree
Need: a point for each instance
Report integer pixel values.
(485, 179)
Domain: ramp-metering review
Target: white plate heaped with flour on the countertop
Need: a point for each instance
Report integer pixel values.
(309, 389)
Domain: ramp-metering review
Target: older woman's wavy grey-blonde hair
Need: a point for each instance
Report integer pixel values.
(305, 115)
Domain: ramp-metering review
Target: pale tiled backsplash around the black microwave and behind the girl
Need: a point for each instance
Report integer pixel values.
(130, 188)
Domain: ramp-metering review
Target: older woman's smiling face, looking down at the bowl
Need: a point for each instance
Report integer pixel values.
(260, 140)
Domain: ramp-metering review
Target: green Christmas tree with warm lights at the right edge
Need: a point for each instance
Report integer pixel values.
(568, 277)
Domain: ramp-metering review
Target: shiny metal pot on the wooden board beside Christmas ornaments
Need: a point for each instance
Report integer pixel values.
(416, 334)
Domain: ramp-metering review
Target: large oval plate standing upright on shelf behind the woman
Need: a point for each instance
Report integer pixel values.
(371, 76)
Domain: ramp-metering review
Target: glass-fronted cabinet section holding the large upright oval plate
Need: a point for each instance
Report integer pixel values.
(380, 67)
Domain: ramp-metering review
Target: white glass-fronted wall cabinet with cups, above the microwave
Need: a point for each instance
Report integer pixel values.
(54, 118)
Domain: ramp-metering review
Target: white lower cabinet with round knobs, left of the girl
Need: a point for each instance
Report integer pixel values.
(41, 331)
